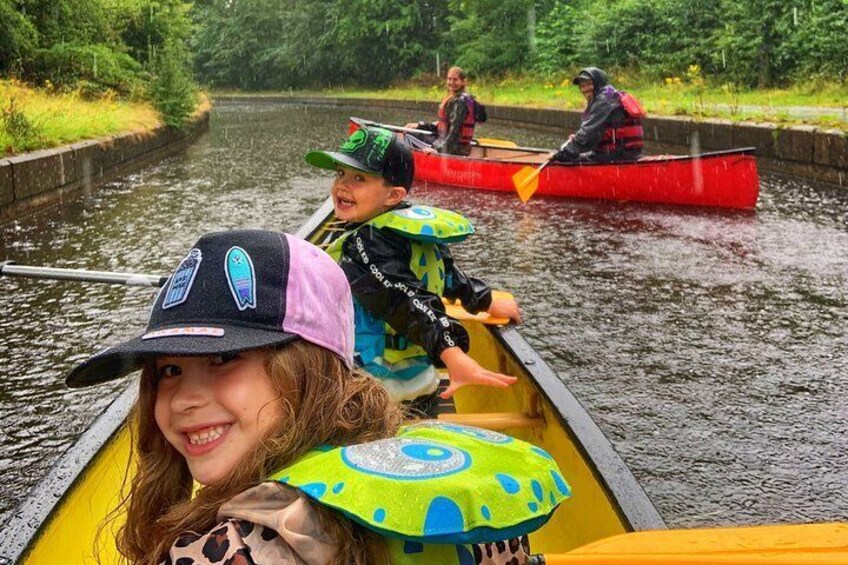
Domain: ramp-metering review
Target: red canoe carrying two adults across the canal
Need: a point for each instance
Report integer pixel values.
(726, 179)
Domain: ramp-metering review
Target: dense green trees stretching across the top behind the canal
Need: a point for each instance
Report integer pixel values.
(151, 47)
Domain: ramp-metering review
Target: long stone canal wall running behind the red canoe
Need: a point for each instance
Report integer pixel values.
(805, 151)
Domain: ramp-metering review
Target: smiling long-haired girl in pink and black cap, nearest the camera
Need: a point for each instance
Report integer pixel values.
(248, 388)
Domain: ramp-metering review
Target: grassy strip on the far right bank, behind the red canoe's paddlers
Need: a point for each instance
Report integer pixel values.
(691, 96)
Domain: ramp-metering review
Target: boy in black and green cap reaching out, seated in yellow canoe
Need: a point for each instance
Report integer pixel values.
(396, 257)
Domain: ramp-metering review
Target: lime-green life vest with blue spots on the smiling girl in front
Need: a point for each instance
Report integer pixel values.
(435, 488)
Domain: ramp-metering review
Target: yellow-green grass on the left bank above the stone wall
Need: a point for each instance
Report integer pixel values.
(36, 118)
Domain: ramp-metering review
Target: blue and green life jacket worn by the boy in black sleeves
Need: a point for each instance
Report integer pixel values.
(380, 350)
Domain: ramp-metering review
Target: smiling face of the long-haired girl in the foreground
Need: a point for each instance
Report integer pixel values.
(215, 409)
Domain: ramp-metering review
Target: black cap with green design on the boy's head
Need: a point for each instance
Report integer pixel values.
(371, 150)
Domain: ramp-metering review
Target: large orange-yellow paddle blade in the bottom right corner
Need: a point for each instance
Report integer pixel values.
(804, 544)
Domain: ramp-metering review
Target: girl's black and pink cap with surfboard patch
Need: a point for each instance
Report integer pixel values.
(236, 291)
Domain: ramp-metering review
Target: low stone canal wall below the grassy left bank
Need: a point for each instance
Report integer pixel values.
(35, 180)
